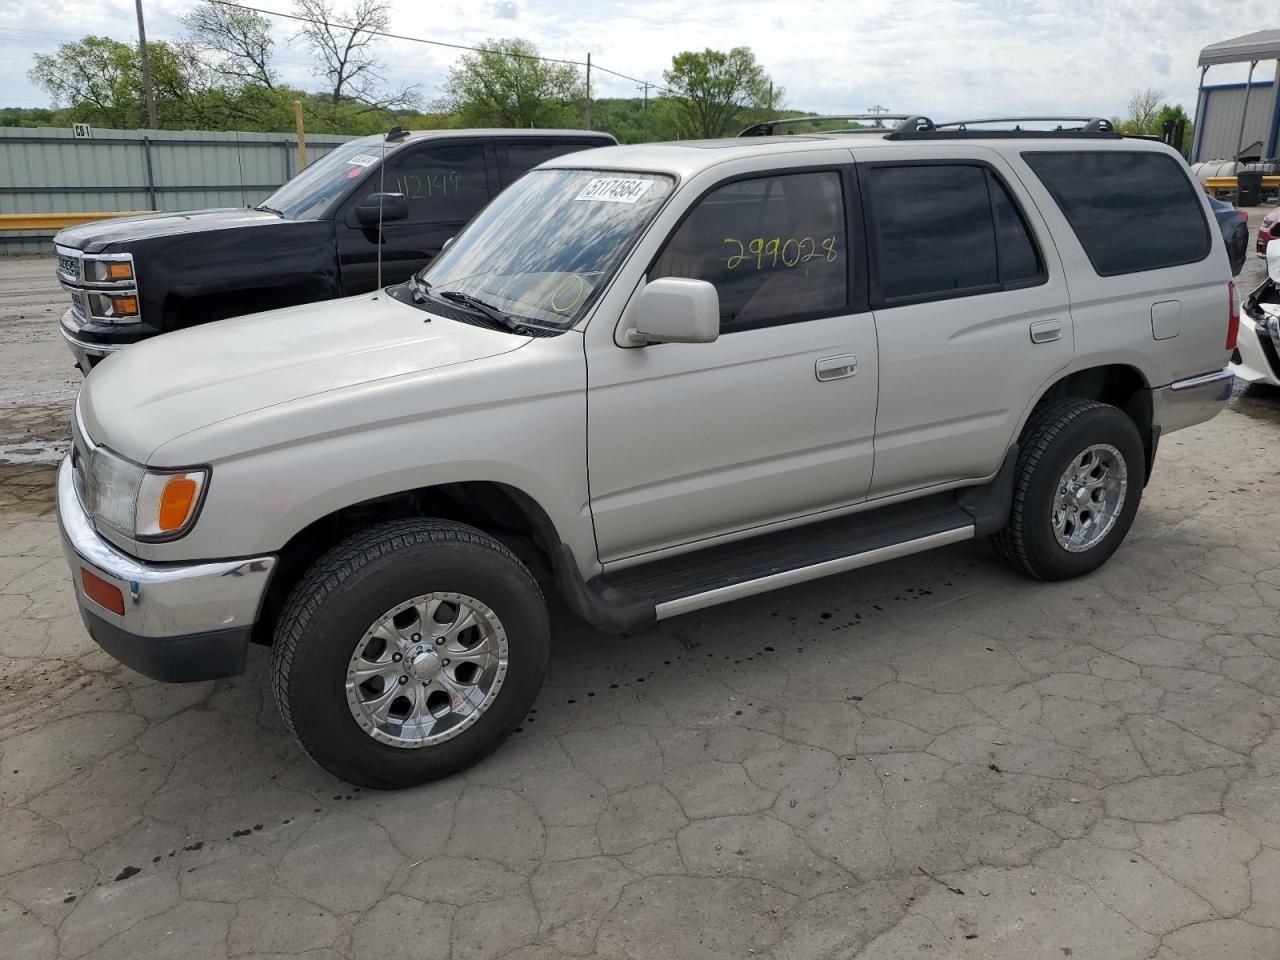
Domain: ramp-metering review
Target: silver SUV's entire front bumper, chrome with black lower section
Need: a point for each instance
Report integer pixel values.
(181, 623)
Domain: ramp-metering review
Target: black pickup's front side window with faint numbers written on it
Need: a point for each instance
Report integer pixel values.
(444, 184)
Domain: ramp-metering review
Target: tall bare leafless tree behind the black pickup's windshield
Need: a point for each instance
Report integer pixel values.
(344, 42)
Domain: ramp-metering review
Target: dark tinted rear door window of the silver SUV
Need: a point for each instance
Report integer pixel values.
(947, 230)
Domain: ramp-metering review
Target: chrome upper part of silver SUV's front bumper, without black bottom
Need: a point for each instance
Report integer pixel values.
(162, 601)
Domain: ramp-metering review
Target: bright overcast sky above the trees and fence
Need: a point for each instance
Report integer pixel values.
(943, 58)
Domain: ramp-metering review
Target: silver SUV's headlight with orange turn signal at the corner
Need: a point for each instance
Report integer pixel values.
(140, 504)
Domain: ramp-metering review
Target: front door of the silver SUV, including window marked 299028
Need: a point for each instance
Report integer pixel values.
(772, 422)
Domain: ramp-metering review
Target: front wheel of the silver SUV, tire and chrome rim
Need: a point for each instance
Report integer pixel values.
(409, 652)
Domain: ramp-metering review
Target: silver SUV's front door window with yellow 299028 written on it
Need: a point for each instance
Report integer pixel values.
(776, 249)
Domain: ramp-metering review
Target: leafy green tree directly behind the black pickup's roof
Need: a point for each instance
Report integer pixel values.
(505, 86)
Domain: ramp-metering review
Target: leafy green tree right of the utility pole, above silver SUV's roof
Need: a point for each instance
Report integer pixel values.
(716, 94)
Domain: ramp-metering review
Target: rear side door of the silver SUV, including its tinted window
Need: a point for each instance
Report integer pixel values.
(972, 312)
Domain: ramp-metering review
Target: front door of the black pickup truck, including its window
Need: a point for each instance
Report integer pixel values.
(446, 184)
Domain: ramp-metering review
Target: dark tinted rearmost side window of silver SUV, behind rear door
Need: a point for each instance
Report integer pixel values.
(1131, 211)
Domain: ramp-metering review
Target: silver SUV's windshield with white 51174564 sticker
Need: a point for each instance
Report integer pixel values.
(545, 245)
